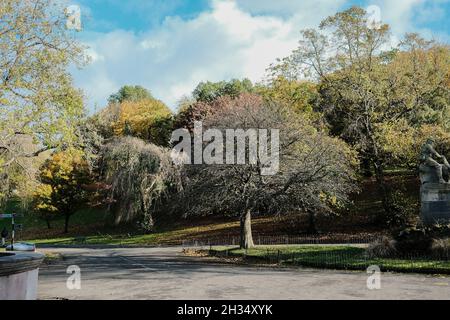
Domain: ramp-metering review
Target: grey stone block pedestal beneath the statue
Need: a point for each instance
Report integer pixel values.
(435, 203)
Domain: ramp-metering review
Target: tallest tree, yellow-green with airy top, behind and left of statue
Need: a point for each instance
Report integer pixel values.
(364, 90)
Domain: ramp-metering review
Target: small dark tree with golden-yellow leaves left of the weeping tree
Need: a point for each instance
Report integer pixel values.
(62, 191)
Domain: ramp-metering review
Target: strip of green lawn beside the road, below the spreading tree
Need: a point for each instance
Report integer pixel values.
(333, 257)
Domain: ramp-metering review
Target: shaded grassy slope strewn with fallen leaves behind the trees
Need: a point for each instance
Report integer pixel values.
(91, 226)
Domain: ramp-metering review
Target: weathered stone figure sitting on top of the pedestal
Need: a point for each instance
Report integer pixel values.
(431, 171)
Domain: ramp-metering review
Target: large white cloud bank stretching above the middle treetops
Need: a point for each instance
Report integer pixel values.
(224, 42)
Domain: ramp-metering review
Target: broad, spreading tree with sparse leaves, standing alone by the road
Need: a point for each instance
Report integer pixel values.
(315, 170)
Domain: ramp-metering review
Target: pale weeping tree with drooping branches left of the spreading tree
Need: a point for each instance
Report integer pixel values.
(138, 174)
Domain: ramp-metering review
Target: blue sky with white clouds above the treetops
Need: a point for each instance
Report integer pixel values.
(169, 46)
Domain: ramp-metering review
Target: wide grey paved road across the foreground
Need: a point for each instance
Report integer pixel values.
(163, 273)
